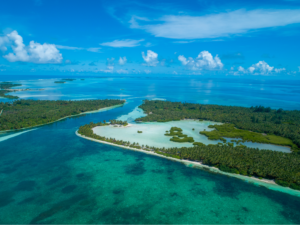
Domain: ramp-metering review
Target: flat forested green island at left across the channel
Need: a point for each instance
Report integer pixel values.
(29, 113)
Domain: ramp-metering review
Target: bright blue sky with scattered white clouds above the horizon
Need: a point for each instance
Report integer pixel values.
(208, 37)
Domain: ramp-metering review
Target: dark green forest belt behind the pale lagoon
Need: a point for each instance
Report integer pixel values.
(256, 119)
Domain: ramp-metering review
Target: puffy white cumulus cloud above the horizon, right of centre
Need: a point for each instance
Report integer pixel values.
(204, 61)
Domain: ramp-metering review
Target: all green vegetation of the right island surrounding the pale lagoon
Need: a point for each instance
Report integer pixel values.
(270, 126)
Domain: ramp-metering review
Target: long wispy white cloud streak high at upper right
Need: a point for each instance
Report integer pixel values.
(216, 25)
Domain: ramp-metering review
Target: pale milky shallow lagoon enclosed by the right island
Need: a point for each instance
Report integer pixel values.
(153, 133)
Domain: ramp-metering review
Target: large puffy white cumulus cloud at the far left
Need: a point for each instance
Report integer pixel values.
(35, 52)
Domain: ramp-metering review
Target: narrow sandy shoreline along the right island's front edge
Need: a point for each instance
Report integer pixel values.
(270, 184)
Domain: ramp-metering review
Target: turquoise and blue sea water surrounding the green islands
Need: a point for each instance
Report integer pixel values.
(51, 176)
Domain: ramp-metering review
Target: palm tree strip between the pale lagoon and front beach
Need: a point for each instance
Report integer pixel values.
(283, 167)
